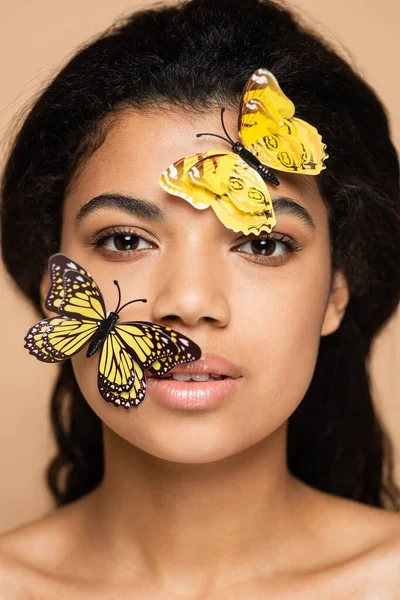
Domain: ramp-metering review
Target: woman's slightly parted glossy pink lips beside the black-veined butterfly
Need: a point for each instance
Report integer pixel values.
(197, 395)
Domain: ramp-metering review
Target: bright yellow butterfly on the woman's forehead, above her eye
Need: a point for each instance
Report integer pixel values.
(234, 183)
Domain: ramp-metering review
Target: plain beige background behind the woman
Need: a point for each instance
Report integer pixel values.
(36, 39)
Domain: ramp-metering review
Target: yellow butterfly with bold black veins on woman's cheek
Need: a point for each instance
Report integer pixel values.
(126, 349)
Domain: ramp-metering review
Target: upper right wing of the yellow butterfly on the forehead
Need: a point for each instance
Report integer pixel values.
(269, 130)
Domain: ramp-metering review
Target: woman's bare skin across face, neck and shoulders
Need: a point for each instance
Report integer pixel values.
(200, 504)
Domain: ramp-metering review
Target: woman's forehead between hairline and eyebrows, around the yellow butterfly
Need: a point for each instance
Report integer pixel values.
(141, 143)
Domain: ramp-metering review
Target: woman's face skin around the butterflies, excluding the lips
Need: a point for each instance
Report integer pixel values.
(261, 305)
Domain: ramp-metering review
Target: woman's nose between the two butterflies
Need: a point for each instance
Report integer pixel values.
(191, 288)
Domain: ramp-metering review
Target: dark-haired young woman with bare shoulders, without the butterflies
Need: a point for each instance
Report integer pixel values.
(284, 487)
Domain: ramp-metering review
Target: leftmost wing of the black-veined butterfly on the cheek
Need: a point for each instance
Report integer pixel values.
(58, 338)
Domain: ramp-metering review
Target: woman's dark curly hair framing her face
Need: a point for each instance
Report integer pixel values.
(198, 54)
